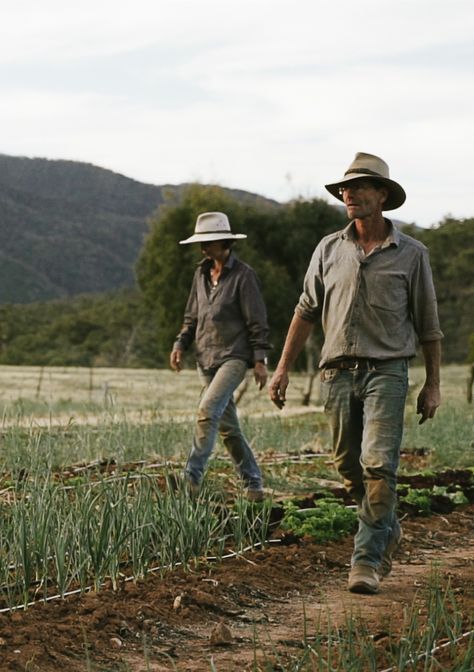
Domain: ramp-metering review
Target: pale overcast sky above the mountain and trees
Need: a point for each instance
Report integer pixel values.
(272, 96)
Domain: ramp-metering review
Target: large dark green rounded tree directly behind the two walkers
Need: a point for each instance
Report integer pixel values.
(280, 242)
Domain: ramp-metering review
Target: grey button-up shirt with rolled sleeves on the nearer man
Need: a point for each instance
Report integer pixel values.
(374, 306)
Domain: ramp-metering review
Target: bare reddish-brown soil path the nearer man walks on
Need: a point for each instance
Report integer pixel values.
(240, 614)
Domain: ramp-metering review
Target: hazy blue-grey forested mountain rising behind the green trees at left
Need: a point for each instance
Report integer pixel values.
(69, 228)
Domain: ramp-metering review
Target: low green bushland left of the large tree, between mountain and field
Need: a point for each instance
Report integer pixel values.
(106, 330)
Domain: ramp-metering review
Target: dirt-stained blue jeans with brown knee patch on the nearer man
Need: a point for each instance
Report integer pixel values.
(365, 408)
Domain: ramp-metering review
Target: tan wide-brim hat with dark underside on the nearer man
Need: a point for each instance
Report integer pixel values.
(373, 167)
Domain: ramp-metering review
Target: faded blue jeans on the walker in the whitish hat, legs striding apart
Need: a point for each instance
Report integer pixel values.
(217, 413)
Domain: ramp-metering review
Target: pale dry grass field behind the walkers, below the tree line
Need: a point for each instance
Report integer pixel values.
(147, 413)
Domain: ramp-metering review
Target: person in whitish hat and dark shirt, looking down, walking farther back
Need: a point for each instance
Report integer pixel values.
(225, 315)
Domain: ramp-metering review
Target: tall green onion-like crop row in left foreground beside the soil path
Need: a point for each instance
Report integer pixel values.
(58, 538)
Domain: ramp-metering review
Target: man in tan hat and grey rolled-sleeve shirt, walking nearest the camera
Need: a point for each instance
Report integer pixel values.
(371, 287)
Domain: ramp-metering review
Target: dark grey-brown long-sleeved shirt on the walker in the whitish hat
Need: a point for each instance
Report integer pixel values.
(227, 321)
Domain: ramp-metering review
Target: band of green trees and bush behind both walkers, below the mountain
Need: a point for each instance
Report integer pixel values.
(136, 327)
